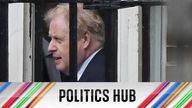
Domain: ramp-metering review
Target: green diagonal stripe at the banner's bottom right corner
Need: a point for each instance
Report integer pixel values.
(183, 100)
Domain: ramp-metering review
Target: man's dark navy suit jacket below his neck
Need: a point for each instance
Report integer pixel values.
(95, 71)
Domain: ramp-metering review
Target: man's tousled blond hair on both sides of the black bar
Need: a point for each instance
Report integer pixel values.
(87, 20)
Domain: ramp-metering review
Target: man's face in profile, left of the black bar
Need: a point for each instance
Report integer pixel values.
(59, 45)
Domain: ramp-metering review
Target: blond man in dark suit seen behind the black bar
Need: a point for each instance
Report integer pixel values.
(91, 38)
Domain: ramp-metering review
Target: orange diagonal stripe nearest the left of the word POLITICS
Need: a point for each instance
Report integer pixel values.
(40, 95)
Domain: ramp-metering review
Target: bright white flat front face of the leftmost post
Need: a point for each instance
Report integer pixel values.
(15, 21)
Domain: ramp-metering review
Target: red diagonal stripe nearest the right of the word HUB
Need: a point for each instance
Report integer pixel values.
(153, 95)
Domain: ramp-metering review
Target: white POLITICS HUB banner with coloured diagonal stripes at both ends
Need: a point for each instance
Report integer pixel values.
(95, 95)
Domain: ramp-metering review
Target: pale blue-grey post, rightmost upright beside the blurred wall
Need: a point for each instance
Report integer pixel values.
(158, 41)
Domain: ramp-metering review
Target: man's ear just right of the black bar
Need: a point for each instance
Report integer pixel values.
(87, 39)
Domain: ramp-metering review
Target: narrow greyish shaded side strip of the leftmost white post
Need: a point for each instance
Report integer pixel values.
(29, 35)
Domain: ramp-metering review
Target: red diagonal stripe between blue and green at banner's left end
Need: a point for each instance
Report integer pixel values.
(16, 95)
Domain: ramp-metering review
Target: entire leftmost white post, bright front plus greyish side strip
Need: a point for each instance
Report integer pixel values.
(20, 42)
